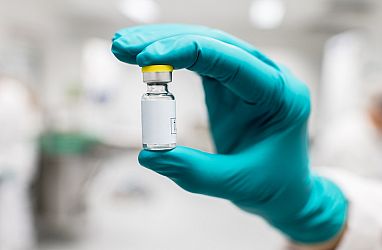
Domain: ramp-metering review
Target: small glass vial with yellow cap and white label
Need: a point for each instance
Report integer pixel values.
(158, 109)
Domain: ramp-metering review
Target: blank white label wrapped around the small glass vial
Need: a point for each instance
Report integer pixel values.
(158, 122)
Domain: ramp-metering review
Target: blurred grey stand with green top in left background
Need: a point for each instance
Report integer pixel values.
(68, 161)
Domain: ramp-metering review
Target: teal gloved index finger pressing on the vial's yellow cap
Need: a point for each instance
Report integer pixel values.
(243, 74)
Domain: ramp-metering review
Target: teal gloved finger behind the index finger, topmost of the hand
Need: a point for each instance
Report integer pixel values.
(129, 42)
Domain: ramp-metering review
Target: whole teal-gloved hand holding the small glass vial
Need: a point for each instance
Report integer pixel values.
(258, 114)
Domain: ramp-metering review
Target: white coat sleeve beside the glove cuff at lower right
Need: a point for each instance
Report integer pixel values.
(365, 215)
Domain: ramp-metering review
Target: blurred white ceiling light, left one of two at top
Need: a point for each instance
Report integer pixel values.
(140, 11)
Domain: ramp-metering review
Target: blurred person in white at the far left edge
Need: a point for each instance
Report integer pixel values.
(20, 126)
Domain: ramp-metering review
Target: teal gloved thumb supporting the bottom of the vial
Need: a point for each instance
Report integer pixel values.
(193, 170)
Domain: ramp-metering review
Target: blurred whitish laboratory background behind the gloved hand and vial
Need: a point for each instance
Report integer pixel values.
(70, 117)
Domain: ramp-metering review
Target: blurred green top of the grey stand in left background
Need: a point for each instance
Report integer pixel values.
(70, 143)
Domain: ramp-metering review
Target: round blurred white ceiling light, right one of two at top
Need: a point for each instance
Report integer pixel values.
(267, 14)
